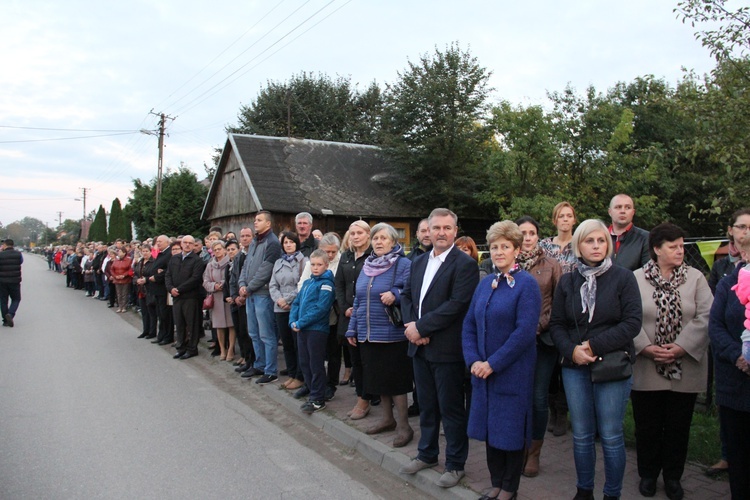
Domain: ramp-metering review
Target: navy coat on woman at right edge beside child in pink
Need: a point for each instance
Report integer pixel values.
(725, 326)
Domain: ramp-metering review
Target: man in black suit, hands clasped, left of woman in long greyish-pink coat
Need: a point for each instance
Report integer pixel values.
(184, 280)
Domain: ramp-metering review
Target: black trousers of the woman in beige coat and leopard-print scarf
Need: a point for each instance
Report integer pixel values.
(662, 430)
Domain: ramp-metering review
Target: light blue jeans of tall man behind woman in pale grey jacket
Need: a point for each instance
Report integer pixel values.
(261, 325)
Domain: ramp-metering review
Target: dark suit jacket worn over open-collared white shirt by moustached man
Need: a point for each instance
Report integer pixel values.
(444, 305)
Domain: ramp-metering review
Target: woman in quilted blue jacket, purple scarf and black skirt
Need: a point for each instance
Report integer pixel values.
(376, 330)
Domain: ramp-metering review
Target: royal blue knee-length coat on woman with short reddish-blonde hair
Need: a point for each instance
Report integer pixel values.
(500, 328)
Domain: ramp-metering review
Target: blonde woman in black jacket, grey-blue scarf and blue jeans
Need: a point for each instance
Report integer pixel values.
(596, 314)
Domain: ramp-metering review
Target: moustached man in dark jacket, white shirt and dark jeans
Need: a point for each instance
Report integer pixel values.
(434, 303)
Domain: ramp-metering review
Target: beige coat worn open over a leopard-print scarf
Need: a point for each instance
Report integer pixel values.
(696, 300)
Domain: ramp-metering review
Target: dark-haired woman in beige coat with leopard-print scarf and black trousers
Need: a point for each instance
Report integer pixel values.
(672, 361)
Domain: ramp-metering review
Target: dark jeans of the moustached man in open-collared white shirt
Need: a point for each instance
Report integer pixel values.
(440, 389)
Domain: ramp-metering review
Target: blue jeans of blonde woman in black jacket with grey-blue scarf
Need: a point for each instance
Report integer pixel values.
(597, 407)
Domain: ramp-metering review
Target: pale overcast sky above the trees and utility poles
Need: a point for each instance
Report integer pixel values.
(101, 67)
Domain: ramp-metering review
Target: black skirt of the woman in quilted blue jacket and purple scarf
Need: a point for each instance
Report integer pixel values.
(387, 368)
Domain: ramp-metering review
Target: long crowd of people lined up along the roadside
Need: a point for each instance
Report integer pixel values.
(499, 351)
